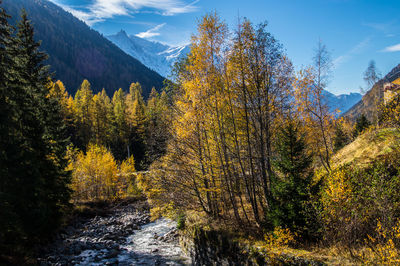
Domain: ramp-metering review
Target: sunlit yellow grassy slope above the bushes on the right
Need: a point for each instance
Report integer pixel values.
(368, 147)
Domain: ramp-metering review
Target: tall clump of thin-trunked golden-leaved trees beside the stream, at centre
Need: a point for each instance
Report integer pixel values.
(231, 96)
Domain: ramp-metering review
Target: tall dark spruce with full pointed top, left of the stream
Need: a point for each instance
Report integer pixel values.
(36, 177)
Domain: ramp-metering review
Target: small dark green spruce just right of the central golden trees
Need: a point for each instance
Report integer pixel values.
(291, 188)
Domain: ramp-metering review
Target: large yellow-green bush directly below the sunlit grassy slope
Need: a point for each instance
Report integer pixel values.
(353, 198)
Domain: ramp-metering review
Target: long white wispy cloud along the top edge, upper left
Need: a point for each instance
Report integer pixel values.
(99, 10)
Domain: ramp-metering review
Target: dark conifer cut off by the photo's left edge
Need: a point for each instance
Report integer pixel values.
(10, 139)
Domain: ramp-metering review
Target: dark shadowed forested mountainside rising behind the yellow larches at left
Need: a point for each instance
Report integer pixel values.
(77, 52)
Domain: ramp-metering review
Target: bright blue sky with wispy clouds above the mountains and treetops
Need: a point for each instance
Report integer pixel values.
(354, 31)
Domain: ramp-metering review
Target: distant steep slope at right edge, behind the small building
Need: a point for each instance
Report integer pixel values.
(369, 103)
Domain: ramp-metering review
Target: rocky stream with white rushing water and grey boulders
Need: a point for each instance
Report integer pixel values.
(121, 235)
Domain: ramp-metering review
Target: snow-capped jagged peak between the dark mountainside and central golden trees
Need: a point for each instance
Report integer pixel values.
(156, 56)
